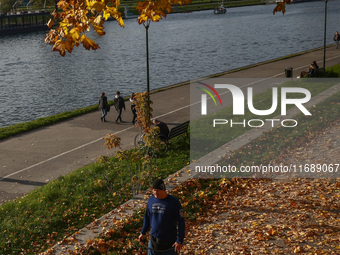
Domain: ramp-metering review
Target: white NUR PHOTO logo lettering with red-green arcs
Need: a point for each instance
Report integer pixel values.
(294, 96)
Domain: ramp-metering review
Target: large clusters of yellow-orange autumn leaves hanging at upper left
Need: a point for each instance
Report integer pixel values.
(78, 16)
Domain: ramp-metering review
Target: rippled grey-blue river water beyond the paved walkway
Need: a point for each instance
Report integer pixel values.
(36, 82)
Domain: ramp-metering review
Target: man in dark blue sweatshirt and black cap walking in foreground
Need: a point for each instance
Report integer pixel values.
(164, 215)
